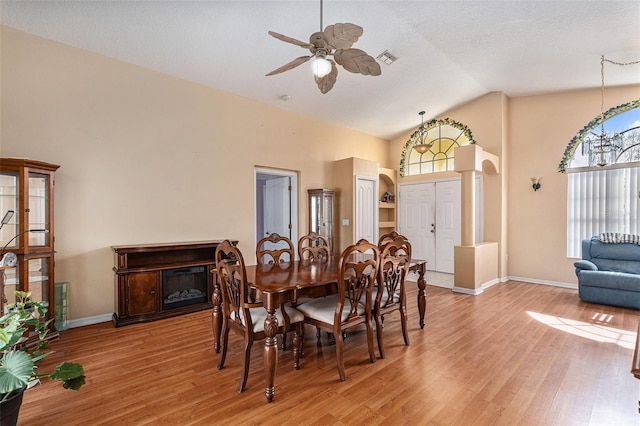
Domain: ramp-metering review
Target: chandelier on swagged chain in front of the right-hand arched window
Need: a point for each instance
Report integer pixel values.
(603, 149)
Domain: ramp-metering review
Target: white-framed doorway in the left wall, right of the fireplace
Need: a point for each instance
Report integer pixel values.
(276, 201)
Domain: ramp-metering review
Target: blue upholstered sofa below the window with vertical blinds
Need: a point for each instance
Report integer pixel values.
(609, 273)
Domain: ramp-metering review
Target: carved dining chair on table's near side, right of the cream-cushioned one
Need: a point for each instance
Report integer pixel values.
(390, 294)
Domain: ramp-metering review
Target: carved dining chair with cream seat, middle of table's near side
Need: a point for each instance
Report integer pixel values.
(352, 306)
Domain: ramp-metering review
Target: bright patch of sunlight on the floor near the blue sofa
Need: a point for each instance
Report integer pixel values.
(597, 332)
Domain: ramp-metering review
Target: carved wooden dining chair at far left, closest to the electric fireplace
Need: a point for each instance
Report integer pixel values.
(246, 316)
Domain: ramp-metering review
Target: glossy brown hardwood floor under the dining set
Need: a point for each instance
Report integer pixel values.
(518, 354)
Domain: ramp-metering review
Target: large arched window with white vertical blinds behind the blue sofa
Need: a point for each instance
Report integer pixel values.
(603, 182)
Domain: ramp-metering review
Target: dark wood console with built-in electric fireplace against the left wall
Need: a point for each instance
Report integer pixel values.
(155, 281)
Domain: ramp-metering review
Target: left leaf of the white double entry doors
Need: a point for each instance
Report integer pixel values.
(417, 219)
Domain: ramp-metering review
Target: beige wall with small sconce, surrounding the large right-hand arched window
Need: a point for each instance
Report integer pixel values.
(540, 127)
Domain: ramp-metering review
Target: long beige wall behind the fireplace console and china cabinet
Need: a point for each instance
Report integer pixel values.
(146, 157)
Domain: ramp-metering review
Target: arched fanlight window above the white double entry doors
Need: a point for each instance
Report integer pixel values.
(445, 135)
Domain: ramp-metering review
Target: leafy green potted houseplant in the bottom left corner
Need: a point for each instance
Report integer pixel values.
(19, 355)
